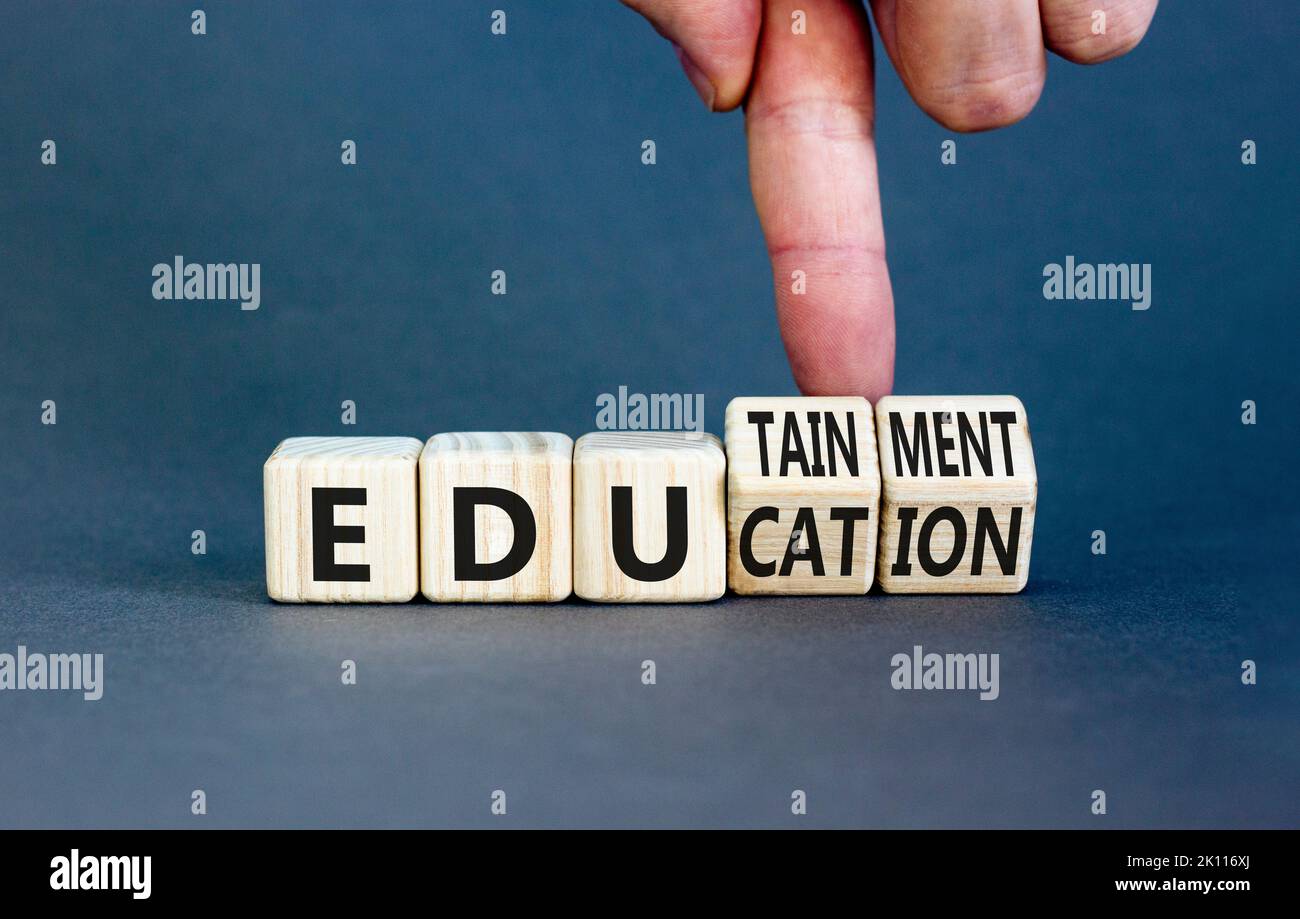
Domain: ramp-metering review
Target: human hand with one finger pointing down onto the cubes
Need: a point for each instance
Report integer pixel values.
(809, 110)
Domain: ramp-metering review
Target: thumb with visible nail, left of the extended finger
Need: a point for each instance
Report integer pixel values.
(714, 41)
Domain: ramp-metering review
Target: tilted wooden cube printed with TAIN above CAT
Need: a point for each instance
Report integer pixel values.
(803, 496)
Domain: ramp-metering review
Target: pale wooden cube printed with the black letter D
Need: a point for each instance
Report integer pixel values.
(497, 518)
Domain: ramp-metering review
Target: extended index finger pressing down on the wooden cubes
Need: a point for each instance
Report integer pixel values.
(813, 171)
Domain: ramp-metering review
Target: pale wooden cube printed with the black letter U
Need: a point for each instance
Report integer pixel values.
(649, 518)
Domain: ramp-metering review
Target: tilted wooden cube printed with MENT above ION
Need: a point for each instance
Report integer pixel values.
(960, 492)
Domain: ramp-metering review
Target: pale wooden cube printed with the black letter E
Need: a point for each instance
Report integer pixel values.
(341, 521)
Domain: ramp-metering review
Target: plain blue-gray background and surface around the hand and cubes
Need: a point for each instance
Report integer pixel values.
(523, 153)
